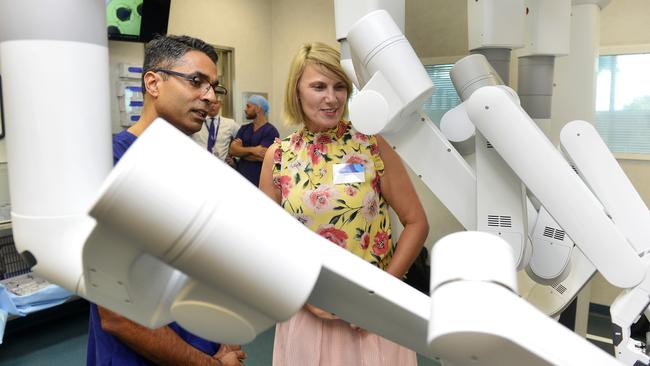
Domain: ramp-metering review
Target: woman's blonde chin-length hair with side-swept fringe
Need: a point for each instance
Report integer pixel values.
(318, 54)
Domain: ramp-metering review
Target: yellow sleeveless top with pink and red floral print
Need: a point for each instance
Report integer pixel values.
(351, 215)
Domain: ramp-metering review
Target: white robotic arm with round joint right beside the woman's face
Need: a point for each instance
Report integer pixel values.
(395, 115)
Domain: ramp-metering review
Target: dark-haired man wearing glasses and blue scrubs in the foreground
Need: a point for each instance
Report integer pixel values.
(179, 84)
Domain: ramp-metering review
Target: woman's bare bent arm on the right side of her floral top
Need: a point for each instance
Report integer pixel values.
(397, 189)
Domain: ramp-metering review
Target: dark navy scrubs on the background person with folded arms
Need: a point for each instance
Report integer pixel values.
(264, 136)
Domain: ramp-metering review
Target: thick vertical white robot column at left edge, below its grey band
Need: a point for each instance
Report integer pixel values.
(58, 146)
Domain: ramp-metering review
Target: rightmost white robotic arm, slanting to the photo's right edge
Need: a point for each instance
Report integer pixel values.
(598, 168)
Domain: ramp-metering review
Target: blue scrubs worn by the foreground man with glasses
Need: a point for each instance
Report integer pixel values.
(103, 348)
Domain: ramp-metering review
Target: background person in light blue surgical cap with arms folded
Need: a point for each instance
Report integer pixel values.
(253, 139)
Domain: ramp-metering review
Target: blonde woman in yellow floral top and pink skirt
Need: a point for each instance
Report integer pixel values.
(339, 183)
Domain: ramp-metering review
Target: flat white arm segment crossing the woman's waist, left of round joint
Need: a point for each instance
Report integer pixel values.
(371, 298)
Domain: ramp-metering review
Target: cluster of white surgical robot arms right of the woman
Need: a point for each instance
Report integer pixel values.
(528, 154)
